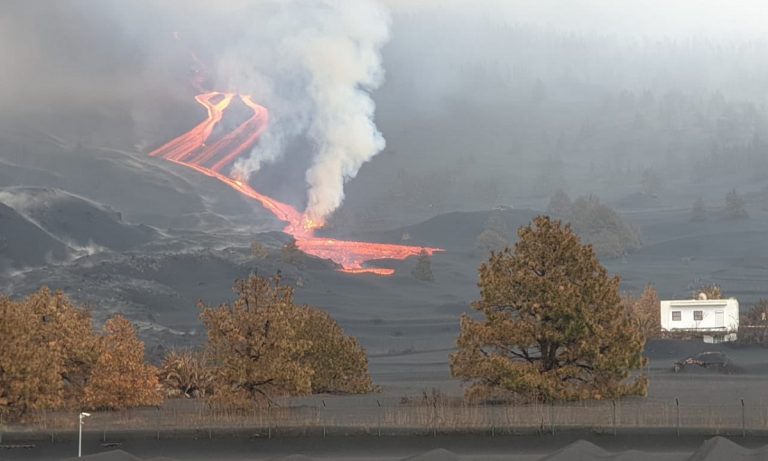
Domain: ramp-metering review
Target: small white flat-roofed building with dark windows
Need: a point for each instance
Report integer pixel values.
(716, 319)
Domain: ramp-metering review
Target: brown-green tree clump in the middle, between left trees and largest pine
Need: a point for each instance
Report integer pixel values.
(264, 345)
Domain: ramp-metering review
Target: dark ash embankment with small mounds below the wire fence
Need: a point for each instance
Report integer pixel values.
(574, 445)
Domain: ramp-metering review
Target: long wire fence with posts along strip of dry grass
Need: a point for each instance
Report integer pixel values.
(374, 418)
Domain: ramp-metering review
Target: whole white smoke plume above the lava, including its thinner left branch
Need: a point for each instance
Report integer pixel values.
(313, 64)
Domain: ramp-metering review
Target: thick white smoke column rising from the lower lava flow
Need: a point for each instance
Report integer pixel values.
(344, 67)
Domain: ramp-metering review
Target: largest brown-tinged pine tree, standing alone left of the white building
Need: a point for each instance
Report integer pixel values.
(554, 326)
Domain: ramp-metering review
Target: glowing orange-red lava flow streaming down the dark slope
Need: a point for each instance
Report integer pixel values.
(191, 150)
